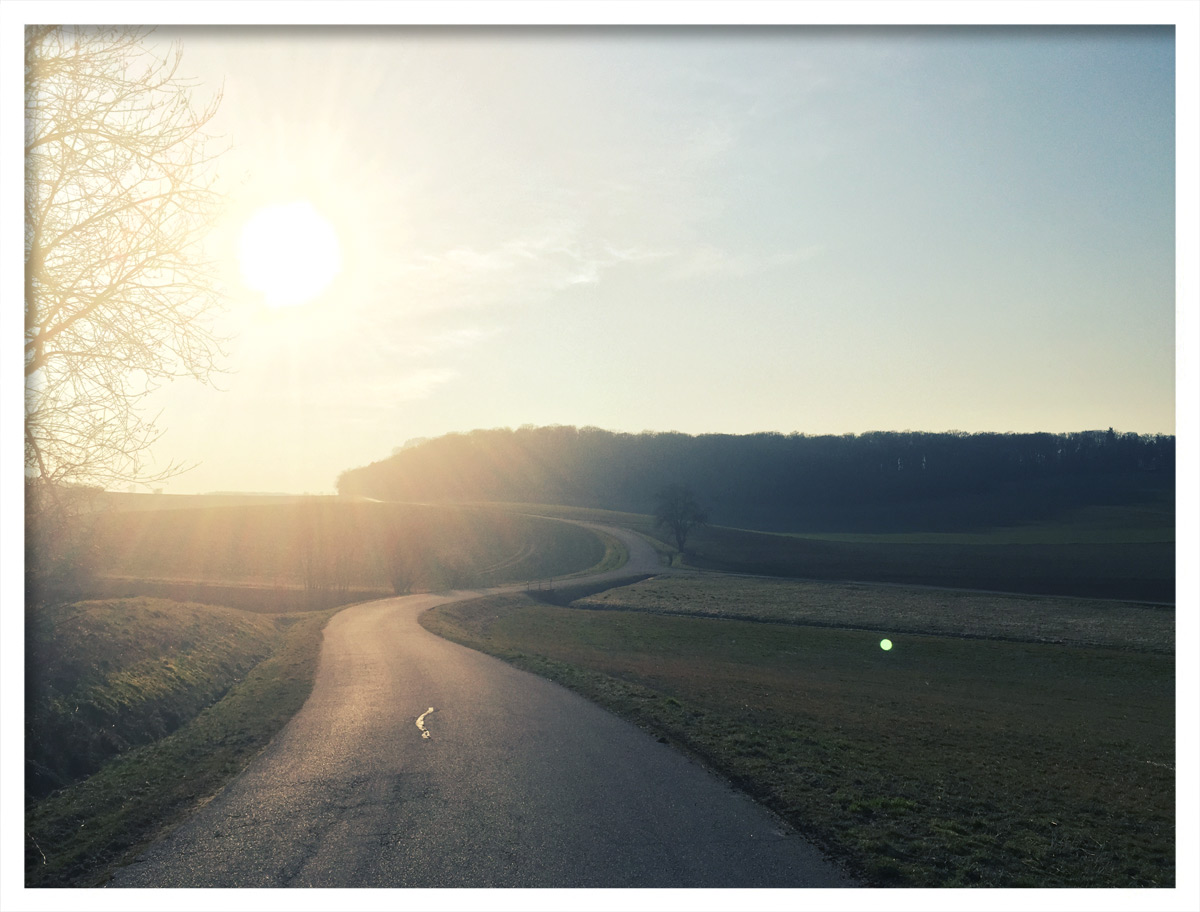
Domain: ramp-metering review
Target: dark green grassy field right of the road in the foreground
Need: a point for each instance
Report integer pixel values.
(945, 763)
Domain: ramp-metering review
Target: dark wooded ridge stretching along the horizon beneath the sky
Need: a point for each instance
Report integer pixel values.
(783, 482)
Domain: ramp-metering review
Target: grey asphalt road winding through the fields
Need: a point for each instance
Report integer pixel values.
(421, 764)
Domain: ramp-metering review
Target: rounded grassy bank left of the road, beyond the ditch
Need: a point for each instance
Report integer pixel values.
(105, 676)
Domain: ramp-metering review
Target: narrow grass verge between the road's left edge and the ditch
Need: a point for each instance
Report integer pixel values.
(79, 836)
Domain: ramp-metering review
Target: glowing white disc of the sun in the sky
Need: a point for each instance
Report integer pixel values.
(290, 253)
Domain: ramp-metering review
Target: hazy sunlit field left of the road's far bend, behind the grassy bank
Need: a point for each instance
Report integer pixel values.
(346, 545)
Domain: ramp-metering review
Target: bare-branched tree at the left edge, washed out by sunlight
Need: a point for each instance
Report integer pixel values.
(119, 194)
